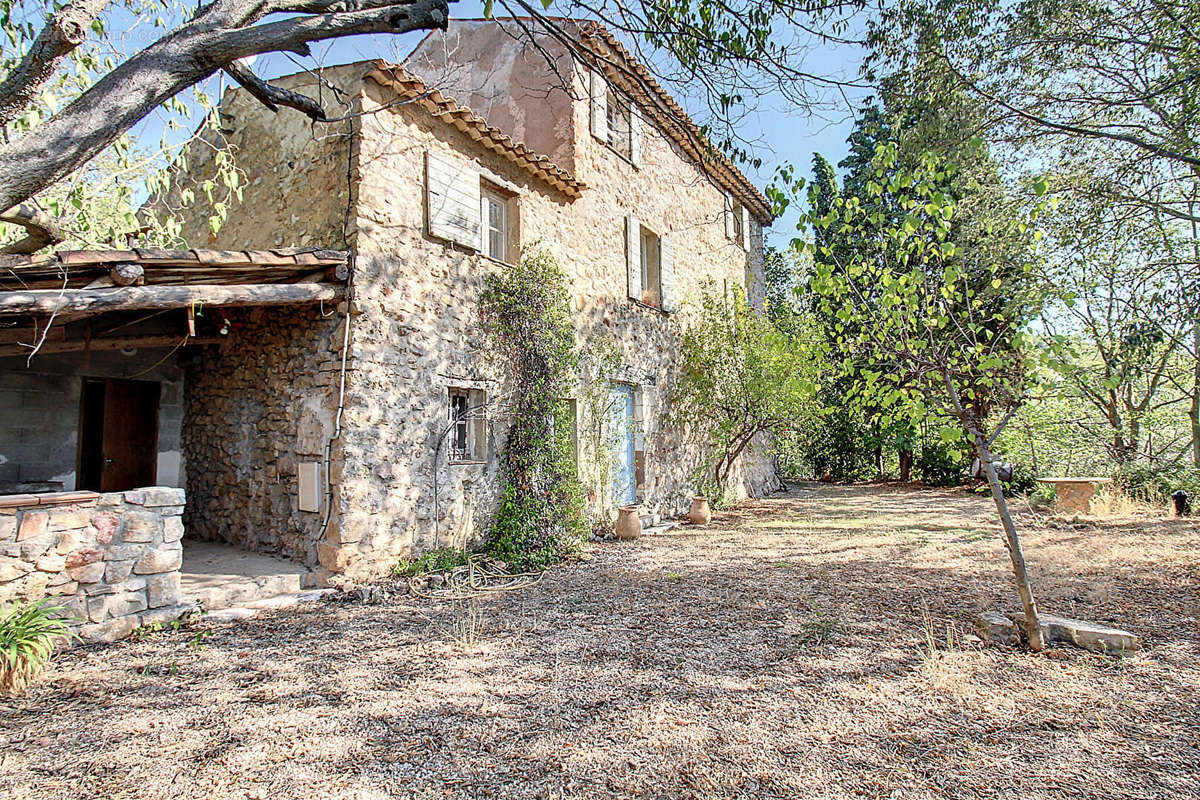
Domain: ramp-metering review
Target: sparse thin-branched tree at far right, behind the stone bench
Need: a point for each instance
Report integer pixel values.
(1121, 317)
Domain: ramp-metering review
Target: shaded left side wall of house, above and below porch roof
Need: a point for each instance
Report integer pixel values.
(266, 402)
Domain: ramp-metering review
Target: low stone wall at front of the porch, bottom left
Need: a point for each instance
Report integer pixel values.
(112, 561)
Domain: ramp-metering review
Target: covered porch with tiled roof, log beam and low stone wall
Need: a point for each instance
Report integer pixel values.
(99, 351)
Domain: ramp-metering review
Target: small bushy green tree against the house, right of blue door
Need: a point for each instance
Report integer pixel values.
(742, 378)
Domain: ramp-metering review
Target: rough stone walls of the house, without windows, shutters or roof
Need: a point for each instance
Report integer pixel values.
(416, 334)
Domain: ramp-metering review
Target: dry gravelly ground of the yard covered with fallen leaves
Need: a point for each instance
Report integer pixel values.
(781, 653)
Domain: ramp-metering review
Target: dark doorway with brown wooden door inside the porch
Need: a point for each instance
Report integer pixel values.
(118, 435)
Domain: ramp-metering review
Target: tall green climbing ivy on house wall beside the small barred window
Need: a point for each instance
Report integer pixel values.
(527, 320)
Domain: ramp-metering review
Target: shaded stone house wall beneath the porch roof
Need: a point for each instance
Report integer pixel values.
(257, 408)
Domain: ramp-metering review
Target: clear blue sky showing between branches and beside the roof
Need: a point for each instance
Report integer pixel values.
(777, 134)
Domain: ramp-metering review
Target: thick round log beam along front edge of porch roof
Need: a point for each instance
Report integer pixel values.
(43, 303)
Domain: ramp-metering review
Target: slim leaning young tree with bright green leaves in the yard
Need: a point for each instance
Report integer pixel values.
(938, 341)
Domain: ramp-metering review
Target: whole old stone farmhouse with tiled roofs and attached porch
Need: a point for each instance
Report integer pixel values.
(334, 404)
